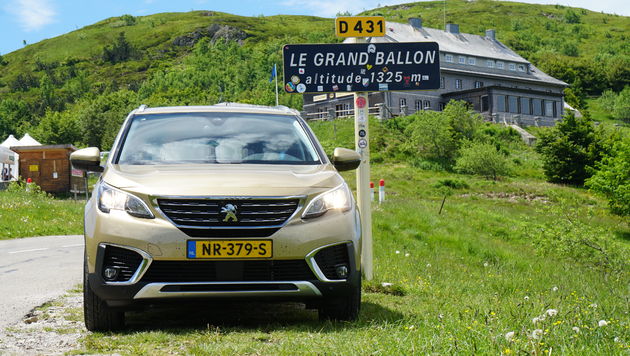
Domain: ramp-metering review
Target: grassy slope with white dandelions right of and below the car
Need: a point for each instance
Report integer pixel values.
(461, 281)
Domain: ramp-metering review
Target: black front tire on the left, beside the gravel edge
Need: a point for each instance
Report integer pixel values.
(97, 314)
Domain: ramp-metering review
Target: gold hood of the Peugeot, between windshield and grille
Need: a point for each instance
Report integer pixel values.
(222, 179)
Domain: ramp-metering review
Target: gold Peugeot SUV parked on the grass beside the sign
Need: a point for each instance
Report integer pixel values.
(223, 201)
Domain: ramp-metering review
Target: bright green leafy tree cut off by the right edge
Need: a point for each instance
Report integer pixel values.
(613, 178)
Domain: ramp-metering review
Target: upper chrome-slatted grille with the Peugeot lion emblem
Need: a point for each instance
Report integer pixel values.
(228, 217)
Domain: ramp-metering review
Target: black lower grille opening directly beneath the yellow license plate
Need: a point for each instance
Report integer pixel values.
(228, 271)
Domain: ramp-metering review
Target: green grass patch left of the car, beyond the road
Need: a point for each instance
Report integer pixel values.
(25, 214)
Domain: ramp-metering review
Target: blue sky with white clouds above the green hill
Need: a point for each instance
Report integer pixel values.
(35, 20)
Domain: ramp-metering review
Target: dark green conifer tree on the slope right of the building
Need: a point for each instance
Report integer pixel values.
(570, 150)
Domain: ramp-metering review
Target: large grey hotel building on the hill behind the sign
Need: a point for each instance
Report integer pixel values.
(481, 70)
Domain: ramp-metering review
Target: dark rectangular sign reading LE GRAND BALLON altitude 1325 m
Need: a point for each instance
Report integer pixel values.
(361, 67)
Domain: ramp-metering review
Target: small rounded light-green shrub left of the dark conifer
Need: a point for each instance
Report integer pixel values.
(482, 159)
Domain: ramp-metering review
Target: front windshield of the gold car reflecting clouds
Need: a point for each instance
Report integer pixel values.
(216, 138)
